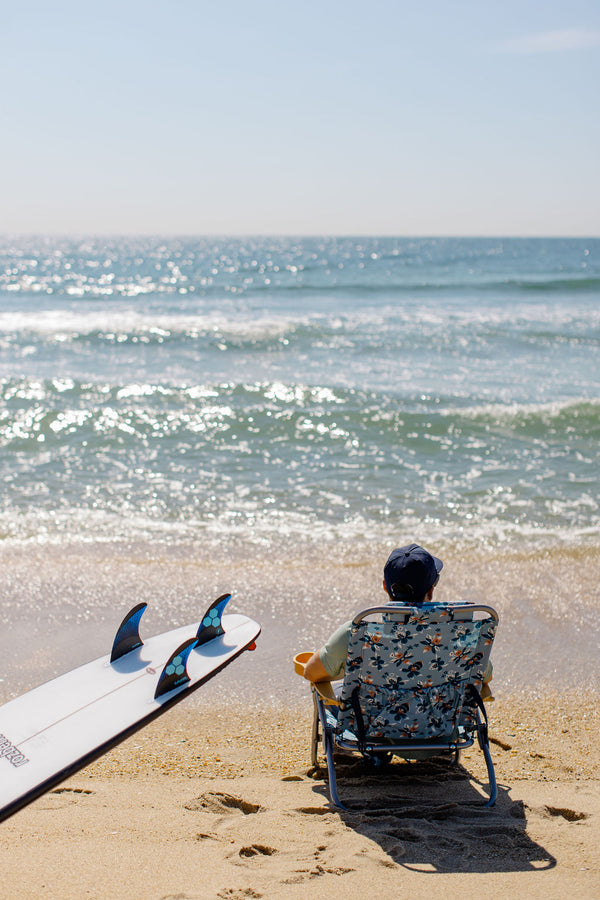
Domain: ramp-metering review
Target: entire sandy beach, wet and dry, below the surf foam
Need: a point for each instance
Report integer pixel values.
(216, 799)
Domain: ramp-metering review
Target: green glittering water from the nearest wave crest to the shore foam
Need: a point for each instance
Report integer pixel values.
(234, 455)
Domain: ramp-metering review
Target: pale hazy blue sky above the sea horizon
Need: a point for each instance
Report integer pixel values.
(272, 116)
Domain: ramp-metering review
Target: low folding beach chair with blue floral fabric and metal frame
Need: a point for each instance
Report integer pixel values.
(412, 687)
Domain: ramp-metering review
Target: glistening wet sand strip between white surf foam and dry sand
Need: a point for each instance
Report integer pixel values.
(61, 607)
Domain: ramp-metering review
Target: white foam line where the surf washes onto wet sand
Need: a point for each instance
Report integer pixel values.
(285, 530)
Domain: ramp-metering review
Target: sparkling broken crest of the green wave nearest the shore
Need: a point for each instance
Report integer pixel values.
(388, 415)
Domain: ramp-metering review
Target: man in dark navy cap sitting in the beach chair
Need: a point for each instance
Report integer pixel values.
(409, 576)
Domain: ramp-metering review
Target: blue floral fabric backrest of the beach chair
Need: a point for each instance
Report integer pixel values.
(407, 673)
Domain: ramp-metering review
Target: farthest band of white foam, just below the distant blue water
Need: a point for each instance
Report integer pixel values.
(118, 324)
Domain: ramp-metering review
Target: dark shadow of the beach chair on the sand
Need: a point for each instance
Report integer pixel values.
(428, 817)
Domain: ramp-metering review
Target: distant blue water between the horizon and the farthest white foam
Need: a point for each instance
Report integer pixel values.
(133, 267)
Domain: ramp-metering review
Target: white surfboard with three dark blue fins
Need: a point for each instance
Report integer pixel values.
(51, 732)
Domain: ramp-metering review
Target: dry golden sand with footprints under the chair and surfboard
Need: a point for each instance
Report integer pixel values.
(204, 804)
